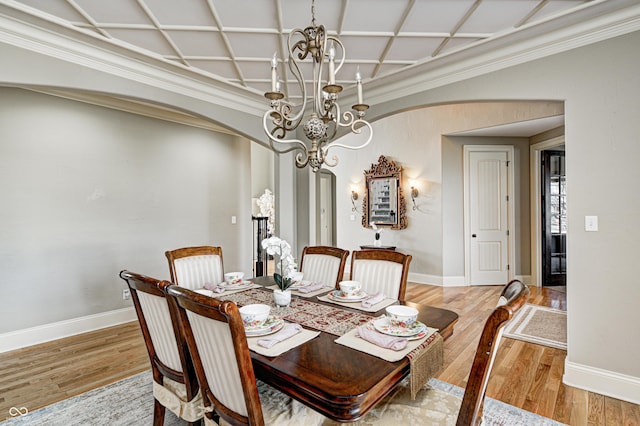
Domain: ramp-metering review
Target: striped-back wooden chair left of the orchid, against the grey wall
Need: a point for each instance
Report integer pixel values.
(193, 267)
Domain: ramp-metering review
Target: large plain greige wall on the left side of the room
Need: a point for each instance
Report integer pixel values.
(88, 191)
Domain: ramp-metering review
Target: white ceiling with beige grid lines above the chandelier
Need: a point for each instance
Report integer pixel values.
(234, 40)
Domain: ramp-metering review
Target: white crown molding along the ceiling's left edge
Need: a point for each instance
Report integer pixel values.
(54, 38)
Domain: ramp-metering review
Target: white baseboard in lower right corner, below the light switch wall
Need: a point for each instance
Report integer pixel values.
(604, 382)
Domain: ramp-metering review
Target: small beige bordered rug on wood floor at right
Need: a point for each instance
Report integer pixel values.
(540, 325)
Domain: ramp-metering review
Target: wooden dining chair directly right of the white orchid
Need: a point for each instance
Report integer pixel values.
(323, 264)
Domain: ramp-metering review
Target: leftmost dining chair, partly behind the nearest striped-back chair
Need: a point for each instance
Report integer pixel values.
(175, 385)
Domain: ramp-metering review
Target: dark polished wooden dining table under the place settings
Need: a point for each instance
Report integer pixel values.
(338, 381)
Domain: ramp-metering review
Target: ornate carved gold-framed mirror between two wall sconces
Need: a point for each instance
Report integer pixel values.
(383, 202)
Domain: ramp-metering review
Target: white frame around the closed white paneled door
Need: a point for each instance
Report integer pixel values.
(509, 149)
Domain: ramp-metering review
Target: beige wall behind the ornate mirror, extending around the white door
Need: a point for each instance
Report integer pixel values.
(414, 139)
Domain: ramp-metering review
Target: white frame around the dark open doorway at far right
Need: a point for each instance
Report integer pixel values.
(536, 205)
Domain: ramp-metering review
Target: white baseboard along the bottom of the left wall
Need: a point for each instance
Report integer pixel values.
(57, 330)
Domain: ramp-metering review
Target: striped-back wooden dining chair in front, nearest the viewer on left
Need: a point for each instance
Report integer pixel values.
(217, 342)
